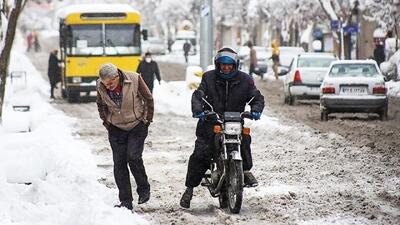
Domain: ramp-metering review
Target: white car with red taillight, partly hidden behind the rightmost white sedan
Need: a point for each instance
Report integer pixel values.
(305, 76)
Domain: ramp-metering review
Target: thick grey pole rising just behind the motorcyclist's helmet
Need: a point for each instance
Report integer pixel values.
(206, 34)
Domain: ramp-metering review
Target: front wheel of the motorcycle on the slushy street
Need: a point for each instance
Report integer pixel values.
(235, 186)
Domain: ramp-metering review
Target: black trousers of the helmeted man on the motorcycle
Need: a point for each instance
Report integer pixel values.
(204, 149)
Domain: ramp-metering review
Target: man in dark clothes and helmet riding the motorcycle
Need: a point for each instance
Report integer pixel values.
(226, 89)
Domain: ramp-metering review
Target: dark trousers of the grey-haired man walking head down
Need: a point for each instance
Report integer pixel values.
(127, 148)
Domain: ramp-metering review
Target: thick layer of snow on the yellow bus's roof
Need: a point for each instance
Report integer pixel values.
(92, 8)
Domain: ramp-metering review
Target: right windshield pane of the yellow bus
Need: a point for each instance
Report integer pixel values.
(121, 39)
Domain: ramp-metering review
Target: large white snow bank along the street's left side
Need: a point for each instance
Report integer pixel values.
(47, 176)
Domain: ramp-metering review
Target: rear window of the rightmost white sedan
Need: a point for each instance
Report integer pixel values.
(353, 70)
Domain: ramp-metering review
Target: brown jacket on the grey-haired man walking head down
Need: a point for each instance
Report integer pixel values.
(137, 103)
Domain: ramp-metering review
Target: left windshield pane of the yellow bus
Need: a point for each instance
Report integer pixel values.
(87, 40)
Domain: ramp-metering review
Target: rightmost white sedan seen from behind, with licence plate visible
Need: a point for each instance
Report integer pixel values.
(354, 86)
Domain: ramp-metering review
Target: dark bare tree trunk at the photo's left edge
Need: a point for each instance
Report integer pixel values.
(5, 54)
